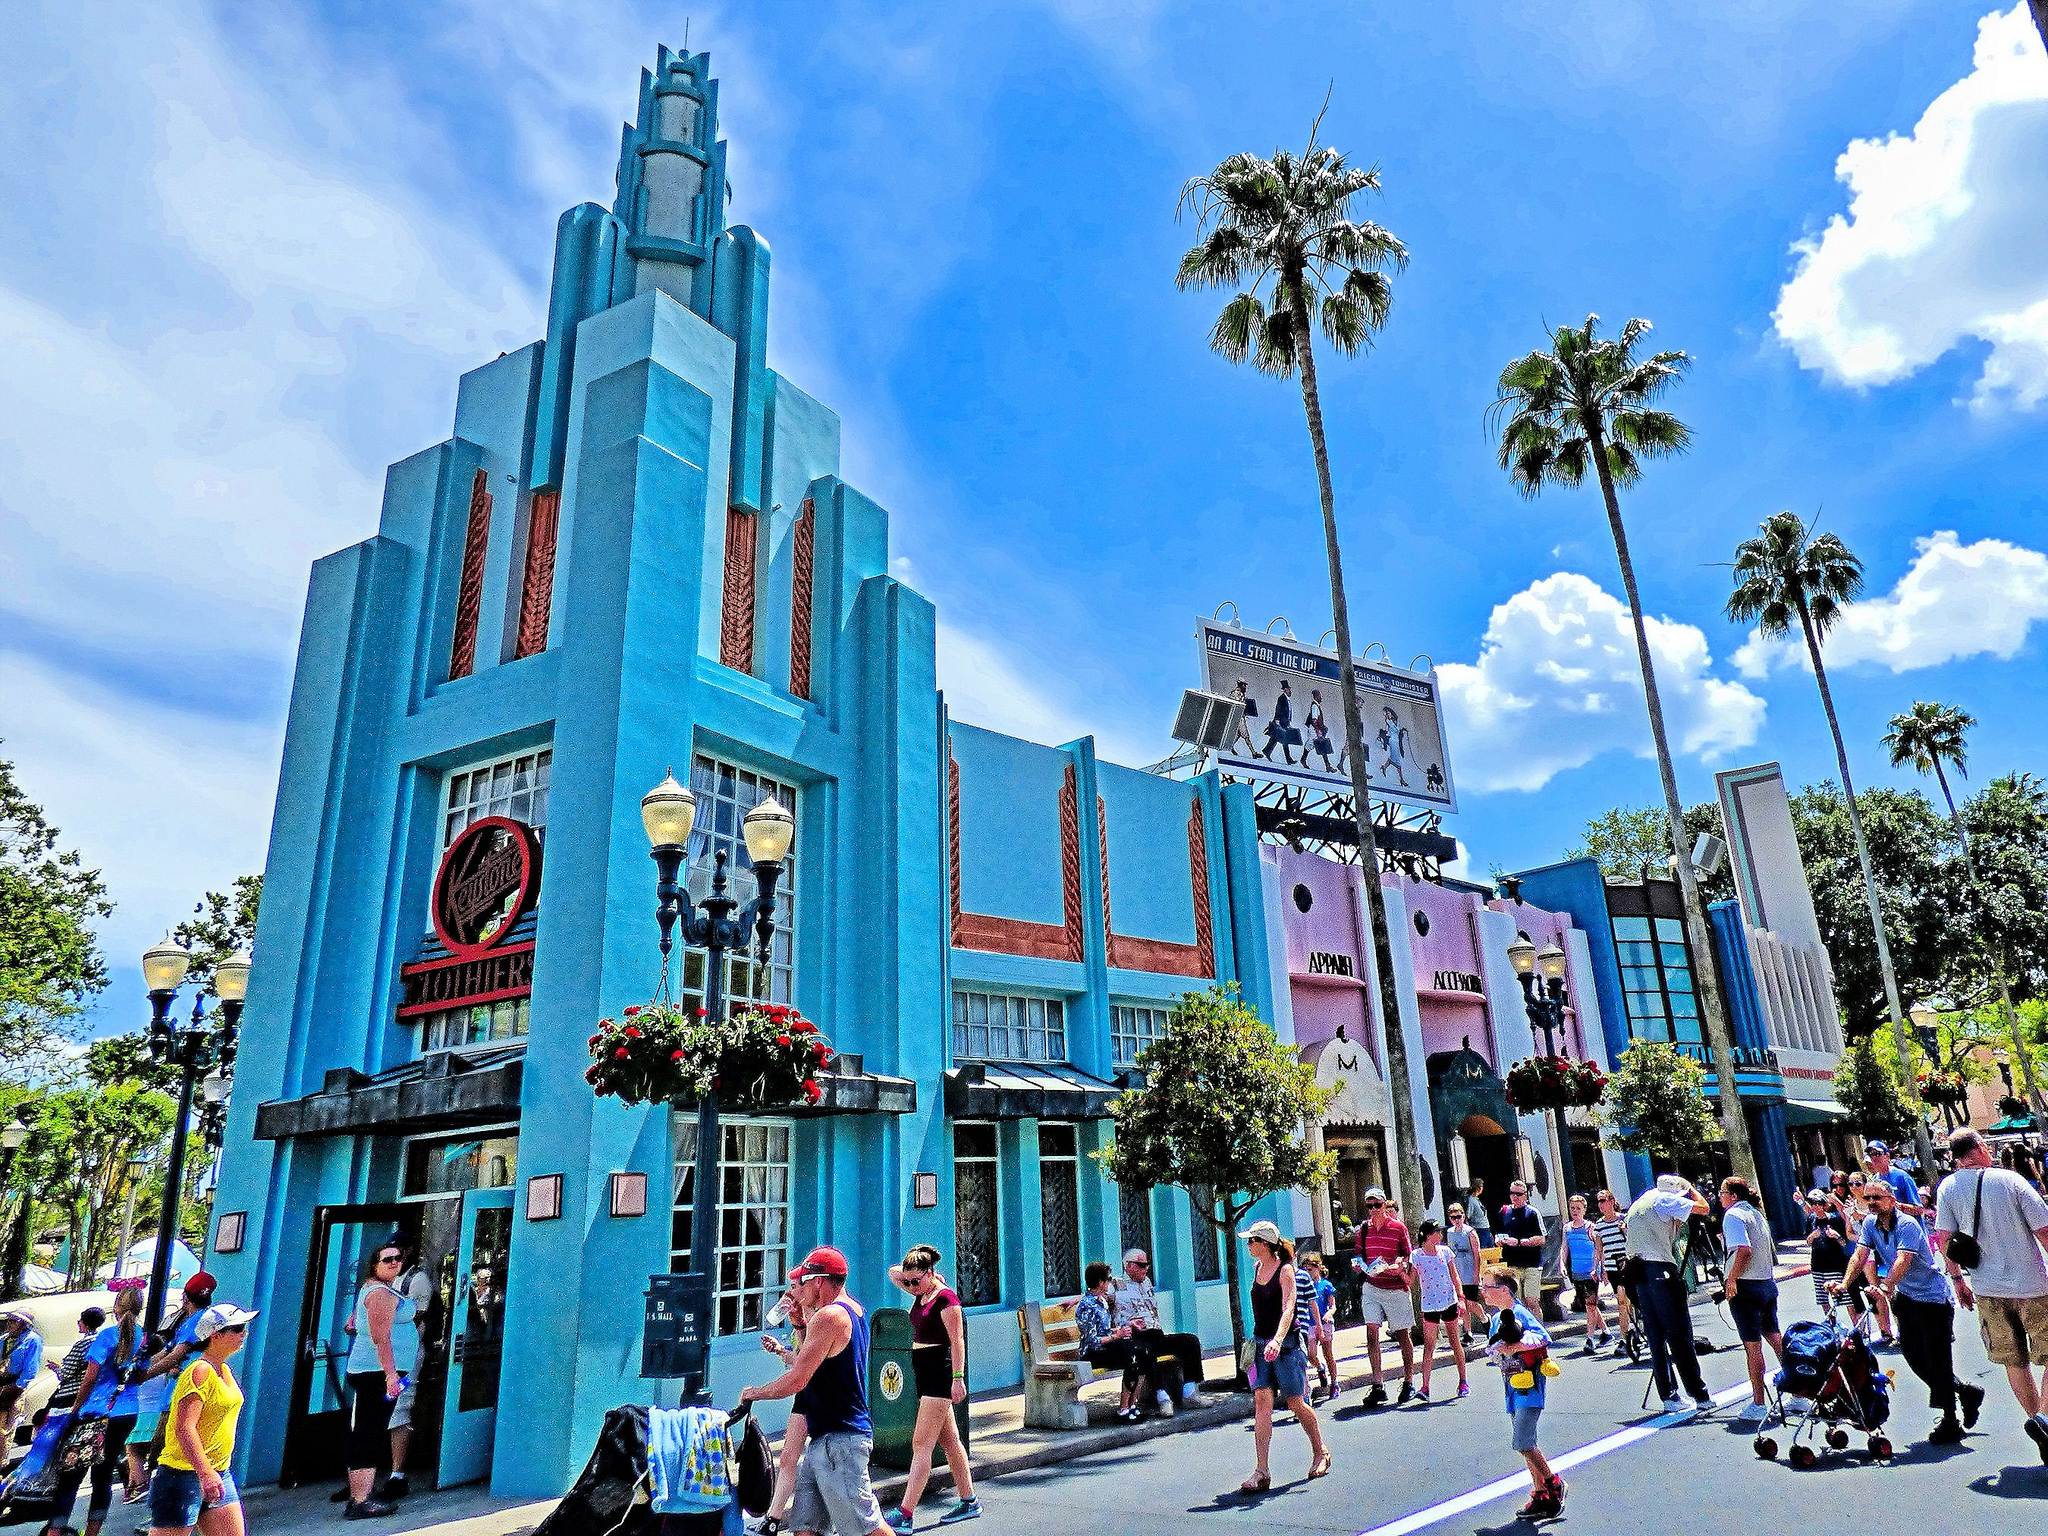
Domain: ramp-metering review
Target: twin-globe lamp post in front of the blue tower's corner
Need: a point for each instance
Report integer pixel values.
(716, 925)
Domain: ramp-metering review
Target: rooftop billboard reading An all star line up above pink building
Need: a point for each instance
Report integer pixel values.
(1293, 730)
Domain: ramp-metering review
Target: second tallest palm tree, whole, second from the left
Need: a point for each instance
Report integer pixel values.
(1586, 402)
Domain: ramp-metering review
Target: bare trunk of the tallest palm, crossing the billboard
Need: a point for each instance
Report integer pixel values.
(1400, 1082)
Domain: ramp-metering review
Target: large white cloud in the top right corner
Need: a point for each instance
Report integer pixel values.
(1943, 243)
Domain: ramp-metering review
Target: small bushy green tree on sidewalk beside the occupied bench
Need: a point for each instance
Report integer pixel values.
(1224, 1109)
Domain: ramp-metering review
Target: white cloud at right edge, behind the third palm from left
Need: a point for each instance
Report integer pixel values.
(1953, 603)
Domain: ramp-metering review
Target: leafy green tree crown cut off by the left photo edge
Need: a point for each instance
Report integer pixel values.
(50, 962)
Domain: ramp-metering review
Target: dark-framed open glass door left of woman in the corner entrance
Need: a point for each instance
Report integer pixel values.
(316, 1437)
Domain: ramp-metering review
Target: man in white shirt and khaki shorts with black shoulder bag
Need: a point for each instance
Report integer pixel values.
(2008, 1287)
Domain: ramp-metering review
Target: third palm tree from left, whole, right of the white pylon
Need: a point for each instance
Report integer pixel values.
(1791, 577)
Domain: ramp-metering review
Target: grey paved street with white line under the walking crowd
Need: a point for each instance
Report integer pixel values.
(1398, 1467)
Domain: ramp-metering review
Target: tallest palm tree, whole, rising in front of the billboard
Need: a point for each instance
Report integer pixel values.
(1283, 234)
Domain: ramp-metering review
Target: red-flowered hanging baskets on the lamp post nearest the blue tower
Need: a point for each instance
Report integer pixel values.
(763, 1056)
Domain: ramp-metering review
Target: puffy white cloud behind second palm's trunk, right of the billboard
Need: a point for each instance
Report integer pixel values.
(1558, 685)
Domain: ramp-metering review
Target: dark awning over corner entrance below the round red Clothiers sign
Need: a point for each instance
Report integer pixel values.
(441, 1093)
